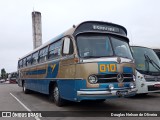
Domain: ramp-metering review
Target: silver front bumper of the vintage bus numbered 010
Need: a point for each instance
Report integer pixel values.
(119, 93)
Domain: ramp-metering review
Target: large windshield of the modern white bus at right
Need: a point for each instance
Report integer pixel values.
(146, 59)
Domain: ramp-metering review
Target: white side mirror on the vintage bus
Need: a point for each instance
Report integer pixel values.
(66, 46)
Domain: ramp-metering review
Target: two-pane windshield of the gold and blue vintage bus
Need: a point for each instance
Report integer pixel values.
(104, 45)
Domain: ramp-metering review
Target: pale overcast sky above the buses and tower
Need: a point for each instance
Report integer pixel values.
(141, 18)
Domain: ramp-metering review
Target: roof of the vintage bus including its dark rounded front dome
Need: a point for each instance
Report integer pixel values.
(87, 26)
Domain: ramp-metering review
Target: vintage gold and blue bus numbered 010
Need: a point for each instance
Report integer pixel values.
(90, 61)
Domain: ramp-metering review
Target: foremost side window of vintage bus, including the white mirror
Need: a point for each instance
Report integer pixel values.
(67, 46)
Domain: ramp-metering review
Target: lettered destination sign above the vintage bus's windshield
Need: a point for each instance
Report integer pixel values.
(106, 28)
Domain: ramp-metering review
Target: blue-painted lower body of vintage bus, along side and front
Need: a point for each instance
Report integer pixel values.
(68, 88)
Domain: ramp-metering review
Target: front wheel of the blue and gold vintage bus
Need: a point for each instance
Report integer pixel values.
(55, 96)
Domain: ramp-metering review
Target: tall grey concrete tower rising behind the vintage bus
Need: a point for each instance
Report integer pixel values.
(37, 29)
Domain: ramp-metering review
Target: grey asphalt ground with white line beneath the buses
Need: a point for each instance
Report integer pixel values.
(13, 99)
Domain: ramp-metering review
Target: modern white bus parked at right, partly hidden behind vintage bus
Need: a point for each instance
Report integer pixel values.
(147, 70)
